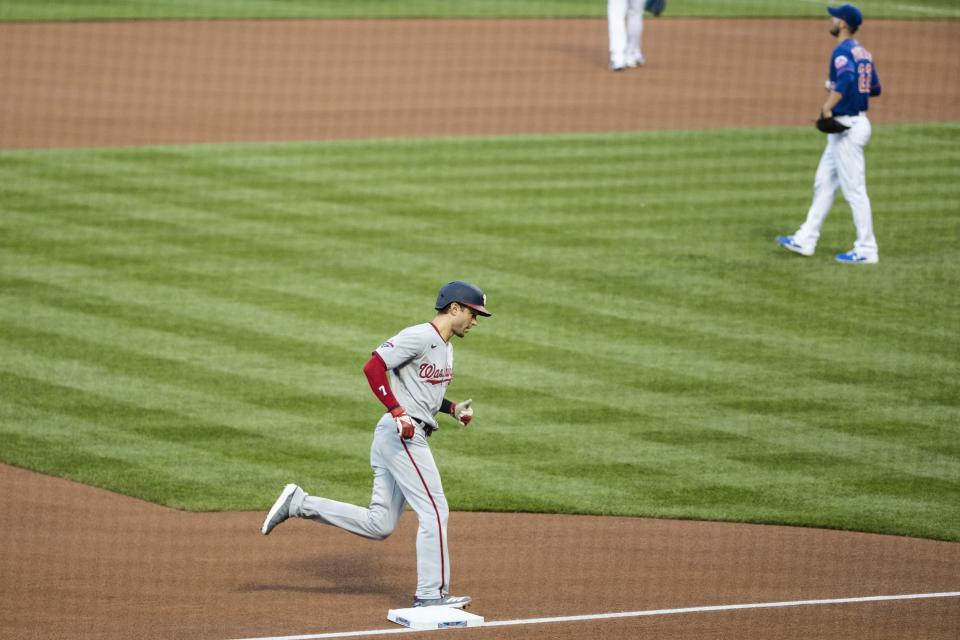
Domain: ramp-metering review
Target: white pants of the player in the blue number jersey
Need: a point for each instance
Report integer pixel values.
(842, 165)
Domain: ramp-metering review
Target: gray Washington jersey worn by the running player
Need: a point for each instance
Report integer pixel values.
(421, 367)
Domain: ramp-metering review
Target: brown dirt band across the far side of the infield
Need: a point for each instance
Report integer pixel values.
(130, 83)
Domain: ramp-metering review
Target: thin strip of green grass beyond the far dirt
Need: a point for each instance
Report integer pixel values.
(156, 9)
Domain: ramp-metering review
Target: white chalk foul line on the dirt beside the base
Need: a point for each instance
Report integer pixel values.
(633, 614)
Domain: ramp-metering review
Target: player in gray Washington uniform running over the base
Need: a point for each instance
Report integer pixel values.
(409, 374)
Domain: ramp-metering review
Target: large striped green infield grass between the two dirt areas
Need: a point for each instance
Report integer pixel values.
(188, 324)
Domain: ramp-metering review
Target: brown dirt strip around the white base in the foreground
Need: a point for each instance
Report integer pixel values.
(79, 562)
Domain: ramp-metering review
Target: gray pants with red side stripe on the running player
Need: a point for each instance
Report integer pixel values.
(404, 472)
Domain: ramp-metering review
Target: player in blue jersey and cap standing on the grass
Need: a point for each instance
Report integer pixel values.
(853, 80)
